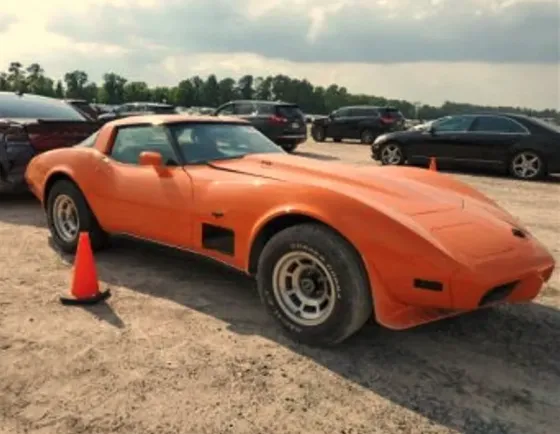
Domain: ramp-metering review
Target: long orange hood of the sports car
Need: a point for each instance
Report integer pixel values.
(410, 191)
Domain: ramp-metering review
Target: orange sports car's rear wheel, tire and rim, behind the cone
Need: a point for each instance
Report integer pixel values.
(68, 214)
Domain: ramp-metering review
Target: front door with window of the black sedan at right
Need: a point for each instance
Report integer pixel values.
(441, 139)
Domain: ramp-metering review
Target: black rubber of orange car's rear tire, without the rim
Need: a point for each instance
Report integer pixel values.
(87, 221)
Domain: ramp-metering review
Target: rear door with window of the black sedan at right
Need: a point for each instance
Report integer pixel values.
(491, 137)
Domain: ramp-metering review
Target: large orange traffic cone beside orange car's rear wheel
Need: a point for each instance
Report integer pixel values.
(85, 287)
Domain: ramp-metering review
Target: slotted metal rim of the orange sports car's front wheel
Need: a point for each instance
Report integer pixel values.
(303, 288)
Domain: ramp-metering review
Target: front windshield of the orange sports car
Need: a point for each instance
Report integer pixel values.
(205, 142)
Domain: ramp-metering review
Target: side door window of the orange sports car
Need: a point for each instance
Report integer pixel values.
(130, 142)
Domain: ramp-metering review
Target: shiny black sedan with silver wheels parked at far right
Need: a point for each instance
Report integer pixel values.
(523, 146)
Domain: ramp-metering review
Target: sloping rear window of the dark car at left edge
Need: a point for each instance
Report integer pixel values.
(26, 107)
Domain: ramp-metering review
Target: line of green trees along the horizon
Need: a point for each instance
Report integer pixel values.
(212, 91)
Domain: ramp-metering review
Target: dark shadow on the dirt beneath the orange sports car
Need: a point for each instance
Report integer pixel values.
(493, 371)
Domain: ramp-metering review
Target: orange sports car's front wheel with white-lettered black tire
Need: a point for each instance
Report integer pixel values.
(314, 285)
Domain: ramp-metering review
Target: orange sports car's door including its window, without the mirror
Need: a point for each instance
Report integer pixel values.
(144, 201)
